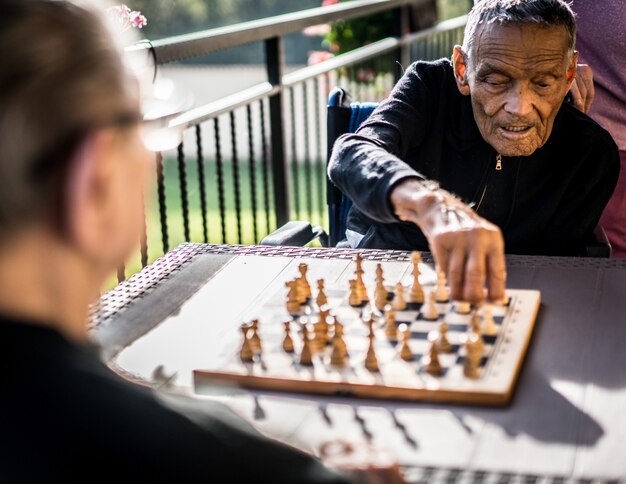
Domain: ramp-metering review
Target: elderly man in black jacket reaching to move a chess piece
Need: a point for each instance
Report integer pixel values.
(490, 127)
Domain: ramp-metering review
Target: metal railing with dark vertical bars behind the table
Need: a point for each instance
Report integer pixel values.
(231, 191)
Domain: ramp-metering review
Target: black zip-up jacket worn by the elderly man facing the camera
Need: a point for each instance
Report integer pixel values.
(545, 203)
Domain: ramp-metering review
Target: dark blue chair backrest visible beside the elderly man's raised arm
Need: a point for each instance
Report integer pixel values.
(343, 117)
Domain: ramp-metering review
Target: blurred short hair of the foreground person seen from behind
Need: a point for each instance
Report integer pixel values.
(62, 72)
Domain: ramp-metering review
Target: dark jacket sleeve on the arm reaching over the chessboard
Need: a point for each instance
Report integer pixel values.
(366, 165)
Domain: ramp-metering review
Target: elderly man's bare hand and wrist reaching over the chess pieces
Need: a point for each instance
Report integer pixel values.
(468, 248)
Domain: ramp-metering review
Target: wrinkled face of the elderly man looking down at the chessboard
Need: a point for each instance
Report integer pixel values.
(517, 77)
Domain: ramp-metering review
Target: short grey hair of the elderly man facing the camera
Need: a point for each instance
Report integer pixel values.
(550, 13)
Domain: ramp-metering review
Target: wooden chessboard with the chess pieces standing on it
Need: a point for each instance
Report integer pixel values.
(377, 335)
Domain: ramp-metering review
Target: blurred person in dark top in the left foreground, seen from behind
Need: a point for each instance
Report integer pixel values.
(72, 168)
